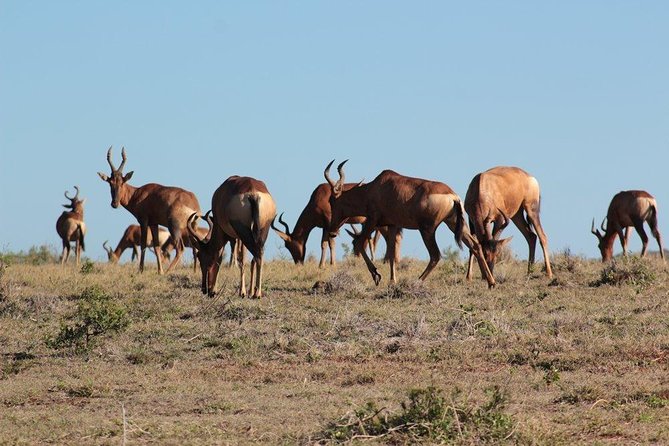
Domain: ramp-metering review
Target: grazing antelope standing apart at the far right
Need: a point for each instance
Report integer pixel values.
(628, 208)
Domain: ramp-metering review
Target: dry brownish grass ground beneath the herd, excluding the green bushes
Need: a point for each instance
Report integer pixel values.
(576, 363)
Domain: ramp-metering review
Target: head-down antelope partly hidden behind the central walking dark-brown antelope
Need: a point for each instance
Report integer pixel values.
(316, 214)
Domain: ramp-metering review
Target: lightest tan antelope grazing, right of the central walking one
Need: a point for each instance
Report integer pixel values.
(495, 195)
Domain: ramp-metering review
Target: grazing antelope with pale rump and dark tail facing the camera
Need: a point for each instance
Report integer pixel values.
(242, 209)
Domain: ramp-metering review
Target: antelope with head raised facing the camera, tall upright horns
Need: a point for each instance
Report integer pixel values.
(152, 205)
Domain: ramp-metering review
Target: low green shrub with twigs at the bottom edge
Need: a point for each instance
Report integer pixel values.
(426, 415)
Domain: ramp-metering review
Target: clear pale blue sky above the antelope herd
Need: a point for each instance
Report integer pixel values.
(576, 93)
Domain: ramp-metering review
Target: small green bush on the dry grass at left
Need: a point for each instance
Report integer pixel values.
(96, 315)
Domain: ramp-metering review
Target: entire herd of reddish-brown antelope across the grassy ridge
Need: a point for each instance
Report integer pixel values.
(243, 211)
